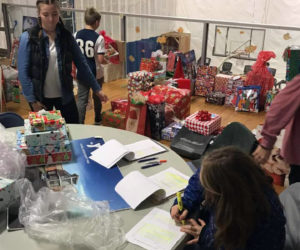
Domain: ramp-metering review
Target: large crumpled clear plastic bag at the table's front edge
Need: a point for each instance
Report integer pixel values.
(67, 219)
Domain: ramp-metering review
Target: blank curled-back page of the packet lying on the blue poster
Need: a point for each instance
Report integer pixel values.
(110, 153)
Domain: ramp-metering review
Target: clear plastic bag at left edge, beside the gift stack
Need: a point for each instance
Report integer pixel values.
(12, 162)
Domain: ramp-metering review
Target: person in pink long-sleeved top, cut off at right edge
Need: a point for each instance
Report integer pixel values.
(284, 113)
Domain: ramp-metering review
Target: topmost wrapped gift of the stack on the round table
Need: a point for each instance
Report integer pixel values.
(45, 120)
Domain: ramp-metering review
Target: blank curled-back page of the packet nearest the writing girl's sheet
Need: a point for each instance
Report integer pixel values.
(134, 188)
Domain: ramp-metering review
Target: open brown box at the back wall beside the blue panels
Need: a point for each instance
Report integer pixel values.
(176, 41)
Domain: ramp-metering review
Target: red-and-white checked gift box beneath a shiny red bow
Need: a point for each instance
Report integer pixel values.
(203, 127)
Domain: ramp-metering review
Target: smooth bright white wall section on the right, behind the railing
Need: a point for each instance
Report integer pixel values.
(283, 13)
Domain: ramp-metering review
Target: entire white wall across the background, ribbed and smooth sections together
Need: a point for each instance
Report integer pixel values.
(283, 13)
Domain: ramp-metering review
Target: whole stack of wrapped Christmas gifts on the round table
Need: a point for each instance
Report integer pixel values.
(44, 139)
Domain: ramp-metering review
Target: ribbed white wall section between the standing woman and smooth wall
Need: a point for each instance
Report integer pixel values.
(136, 28)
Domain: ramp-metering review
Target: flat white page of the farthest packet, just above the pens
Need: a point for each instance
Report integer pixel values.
(144, 148)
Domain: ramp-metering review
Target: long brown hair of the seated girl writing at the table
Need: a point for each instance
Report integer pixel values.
(235, 185)
